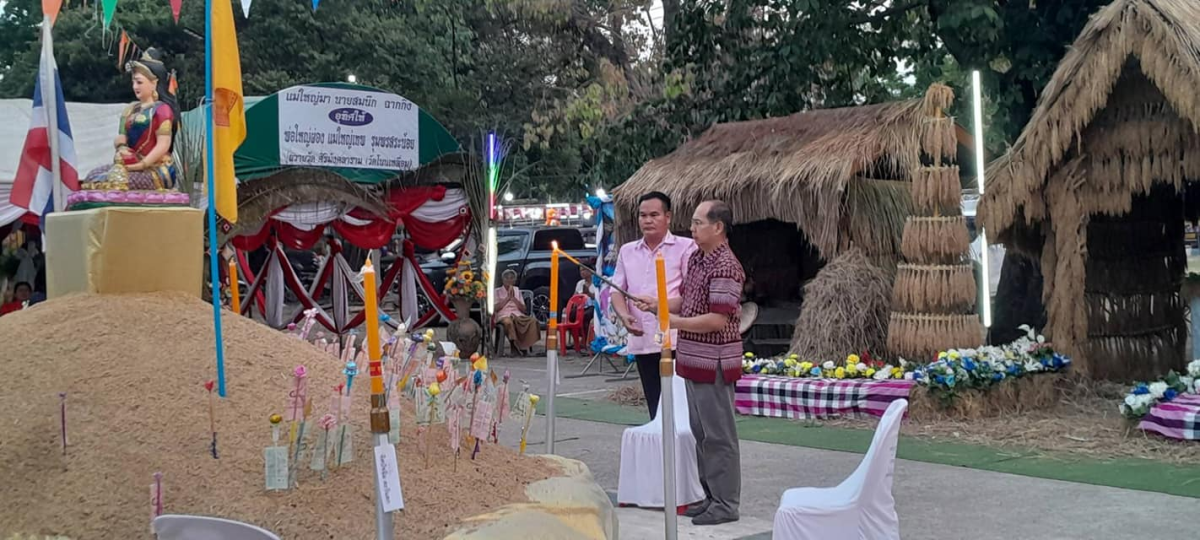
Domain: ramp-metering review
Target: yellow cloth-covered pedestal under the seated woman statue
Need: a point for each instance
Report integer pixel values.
(125, 250)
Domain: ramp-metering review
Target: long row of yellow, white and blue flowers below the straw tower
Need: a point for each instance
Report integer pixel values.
(953, 370)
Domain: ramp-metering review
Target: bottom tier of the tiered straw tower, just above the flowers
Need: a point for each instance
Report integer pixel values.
(922, 337)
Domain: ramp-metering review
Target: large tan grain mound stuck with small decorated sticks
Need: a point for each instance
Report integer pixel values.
(134, 369)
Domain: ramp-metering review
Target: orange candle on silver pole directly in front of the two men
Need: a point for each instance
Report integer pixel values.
(667, 371)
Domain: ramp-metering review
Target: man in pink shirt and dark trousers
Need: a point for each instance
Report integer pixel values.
(637, 274)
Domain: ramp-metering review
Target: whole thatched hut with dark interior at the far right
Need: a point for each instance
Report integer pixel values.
(1095, 188)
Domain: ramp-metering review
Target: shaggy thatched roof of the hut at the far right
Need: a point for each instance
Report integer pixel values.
(1130, 41)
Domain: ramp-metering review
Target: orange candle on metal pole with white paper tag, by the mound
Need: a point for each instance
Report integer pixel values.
(380, 418)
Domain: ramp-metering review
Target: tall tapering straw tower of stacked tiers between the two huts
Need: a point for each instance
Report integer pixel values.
(935, 292)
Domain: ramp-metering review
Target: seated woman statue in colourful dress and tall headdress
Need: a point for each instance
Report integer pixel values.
(143, 159)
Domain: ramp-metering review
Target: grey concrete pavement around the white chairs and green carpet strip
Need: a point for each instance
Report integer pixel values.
(935, 502)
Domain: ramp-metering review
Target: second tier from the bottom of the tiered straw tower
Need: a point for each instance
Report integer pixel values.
(934, 290)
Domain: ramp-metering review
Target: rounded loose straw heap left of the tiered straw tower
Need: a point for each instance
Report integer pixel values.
(845, 310)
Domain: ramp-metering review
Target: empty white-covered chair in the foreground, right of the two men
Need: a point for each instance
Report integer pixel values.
(861, 508)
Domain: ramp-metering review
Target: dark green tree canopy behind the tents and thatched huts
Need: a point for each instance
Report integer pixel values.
(590, 89)
